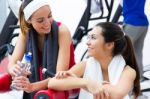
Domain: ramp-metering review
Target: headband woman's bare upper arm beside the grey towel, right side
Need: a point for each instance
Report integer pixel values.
(64, 48)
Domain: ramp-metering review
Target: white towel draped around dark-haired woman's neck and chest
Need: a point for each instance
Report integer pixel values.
(93, 71)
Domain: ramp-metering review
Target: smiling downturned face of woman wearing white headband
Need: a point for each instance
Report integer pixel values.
(41, 20)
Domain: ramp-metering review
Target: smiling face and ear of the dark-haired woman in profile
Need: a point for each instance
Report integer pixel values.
(96, 43)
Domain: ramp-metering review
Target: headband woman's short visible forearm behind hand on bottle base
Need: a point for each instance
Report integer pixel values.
(39, 85)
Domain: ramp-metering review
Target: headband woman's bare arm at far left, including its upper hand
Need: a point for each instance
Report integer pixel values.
(17, 55)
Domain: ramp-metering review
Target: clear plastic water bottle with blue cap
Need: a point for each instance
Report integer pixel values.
(25, 65)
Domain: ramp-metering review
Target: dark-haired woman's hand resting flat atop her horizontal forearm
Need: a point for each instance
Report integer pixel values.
(64, 74)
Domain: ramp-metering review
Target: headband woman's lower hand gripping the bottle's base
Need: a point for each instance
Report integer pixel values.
(22, 83)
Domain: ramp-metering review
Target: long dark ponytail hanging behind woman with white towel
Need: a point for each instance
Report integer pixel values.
(130, 58)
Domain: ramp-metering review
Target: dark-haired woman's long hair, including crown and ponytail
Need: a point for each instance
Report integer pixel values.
(122, 45)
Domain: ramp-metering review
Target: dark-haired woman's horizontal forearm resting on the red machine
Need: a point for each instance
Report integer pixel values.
(67, 83)
